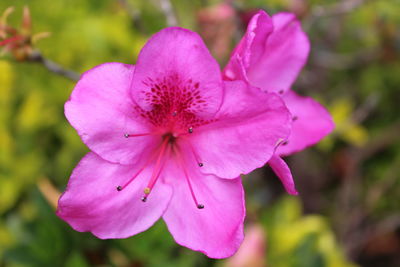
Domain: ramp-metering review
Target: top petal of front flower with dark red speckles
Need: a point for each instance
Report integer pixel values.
(180, 59)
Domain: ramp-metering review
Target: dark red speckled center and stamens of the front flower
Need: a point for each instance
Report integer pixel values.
(174, 105)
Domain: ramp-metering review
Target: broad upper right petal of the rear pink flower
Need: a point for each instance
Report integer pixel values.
(285, 54)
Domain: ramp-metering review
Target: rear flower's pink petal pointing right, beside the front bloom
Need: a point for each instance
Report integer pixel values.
(312, 122)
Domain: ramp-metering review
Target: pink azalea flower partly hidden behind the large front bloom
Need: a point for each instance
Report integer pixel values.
(270, 56)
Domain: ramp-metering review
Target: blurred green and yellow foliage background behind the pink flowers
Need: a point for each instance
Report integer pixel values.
(348, 184)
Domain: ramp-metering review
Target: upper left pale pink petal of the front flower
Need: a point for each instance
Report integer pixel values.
(101, 111)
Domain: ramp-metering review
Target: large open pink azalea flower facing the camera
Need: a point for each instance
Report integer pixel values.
(169, 138)
